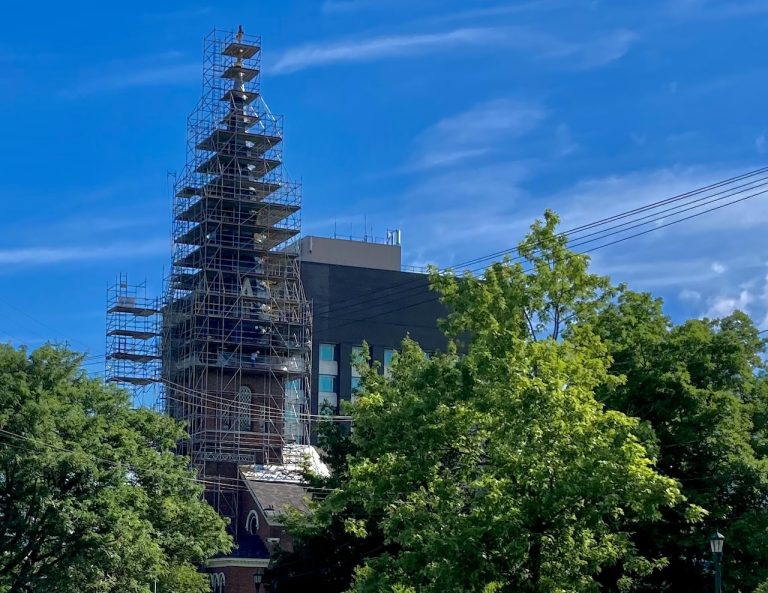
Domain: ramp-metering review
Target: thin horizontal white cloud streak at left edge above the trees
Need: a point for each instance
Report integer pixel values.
(37, 256)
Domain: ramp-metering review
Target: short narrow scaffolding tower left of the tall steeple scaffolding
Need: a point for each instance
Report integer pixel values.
(132, 349)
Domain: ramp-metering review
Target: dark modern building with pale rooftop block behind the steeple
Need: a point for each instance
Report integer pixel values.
(359, 294)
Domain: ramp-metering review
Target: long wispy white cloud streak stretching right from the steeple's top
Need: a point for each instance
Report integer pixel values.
(592, 53)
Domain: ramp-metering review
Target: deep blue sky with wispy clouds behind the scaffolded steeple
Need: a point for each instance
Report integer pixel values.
(457, 121)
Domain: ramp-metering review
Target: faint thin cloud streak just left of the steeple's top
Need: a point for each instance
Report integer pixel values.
(164, 70)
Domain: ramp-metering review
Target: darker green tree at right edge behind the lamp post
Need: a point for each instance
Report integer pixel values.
(700, 389)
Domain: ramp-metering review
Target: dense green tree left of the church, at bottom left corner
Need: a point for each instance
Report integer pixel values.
(92, 496)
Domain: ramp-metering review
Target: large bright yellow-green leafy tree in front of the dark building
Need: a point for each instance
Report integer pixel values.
(498, 470)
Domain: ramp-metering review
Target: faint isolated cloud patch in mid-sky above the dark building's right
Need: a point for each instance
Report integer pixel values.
(475, 132)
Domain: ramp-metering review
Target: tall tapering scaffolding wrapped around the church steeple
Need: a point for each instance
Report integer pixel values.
(236, 340)
